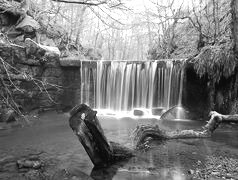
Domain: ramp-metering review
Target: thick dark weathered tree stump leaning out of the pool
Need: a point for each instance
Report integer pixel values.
(87, 128)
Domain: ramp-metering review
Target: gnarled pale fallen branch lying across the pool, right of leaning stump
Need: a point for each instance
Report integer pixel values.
(143, 133)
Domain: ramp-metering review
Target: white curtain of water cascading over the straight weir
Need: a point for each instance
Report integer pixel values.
(126, 85)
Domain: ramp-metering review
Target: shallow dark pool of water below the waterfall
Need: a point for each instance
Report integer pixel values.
(51, 136)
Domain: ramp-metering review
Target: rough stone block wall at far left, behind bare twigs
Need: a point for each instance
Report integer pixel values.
(45, 68)
